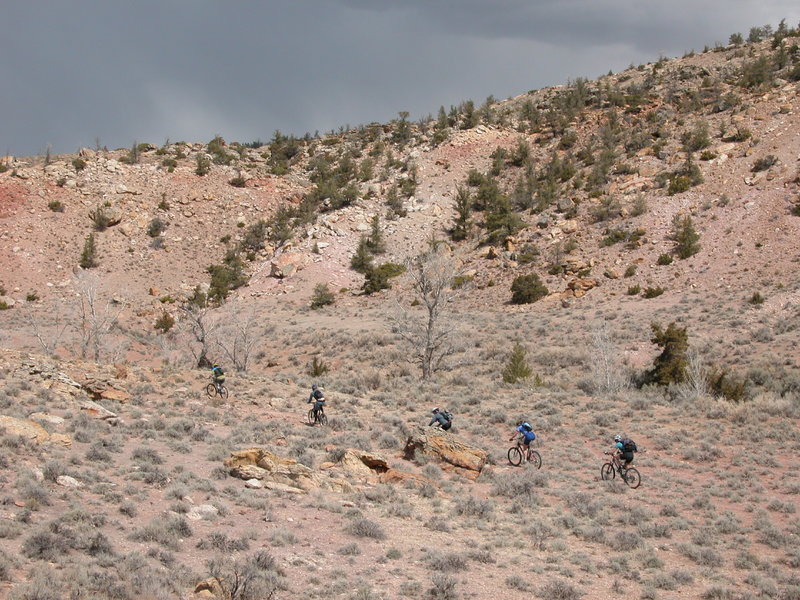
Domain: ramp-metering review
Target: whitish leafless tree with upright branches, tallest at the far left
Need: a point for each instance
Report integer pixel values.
(97, 316)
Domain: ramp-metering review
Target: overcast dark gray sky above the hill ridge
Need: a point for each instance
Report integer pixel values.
(119, 71)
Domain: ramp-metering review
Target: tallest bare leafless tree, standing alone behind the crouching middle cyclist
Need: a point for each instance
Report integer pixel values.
(431, 335)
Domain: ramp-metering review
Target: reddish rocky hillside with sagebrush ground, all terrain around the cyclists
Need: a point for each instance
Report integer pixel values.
(587, 235)
